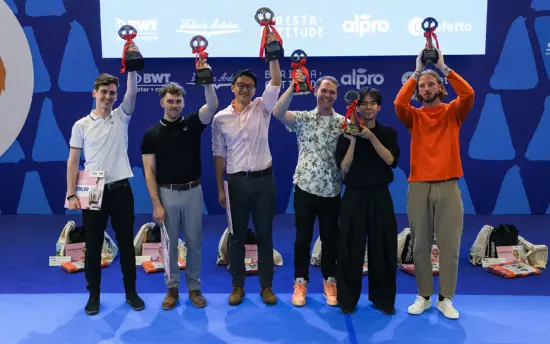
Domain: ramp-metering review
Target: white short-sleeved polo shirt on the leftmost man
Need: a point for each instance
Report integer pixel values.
(104, 143)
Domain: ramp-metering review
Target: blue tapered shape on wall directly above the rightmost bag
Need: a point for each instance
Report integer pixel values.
(512, 198)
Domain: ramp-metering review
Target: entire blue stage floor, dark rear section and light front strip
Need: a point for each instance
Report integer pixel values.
(42, 304)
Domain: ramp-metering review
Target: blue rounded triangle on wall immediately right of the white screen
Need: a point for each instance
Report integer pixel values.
(516, 69)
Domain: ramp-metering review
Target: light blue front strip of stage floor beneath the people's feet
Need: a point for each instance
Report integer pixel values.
(58, 318)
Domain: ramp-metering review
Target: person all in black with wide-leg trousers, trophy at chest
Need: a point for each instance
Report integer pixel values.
(366, 160)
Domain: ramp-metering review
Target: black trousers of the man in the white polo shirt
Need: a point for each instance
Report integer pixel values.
(118, 203)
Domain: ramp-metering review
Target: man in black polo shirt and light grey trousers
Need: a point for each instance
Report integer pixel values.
(172, 163)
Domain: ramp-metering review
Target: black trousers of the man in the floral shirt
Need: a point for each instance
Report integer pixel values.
(307, 207)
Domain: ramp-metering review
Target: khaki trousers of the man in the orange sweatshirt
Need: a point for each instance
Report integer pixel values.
(435, 207)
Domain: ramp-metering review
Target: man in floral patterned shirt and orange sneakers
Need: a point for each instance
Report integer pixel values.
(317, 183)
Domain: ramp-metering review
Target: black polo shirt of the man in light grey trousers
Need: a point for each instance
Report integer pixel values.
(177, 149)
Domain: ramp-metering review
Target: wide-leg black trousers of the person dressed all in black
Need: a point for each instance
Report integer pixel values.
(367, 212)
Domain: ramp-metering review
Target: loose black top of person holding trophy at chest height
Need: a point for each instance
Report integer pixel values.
(368, 169)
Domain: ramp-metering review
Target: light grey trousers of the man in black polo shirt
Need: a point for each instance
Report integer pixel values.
(184, 207)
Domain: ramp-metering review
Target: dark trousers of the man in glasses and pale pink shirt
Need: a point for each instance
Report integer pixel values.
(252, 195)
